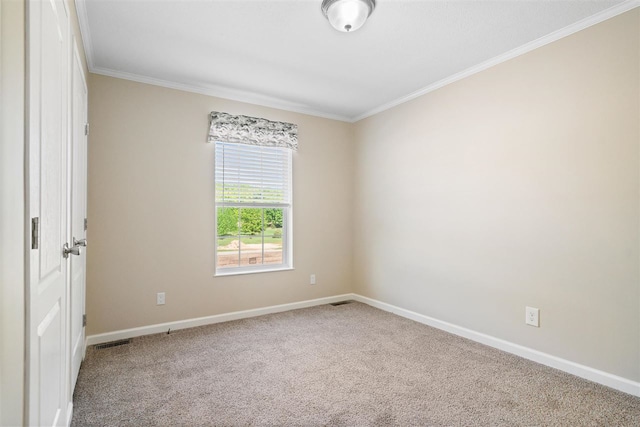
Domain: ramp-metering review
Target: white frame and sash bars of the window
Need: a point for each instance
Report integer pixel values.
(287, 227)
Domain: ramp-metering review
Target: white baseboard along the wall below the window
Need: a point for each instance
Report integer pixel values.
(209, 320)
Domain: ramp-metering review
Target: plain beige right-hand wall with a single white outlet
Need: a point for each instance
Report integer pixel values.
(516, 186)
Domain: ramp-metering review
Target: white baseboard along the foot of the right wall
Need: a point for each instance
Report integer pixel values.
(591, 374)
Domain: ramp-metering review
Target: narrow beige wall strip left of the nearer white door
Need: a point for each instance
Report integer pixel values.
(12, 51)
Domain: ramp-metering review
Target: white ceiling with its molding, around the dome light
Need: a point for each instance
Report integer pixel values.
(284, 54)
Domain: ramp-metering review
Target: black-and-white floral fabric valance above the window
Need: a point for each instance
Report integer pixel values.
(253, 131)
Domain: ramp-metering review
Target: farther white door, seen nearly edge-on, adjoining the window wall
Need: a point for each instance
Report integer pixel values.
(78, 213)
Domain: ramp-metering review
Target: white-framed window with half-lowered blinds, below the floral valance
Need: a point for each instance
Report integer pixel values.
(253, 208)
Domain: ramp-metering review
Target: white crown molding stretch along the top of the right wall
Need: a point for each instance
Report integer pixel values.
(521, 50)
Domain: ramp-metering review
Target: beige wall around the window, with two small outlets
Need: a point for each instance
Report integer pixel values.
(151, 215)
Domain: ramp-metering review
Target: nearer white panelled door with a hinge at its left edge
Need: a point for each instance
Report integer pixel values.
(48, 84)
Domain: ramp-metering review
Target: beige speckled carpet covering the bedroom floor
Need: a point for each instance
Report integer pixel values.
(350, 365)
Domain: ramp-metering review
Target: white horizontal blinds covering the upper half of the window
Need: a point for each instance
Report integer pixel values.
(252, 175)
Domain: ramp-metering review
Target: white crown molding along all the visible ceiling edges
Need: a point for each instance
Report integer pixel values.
(271, 102)
